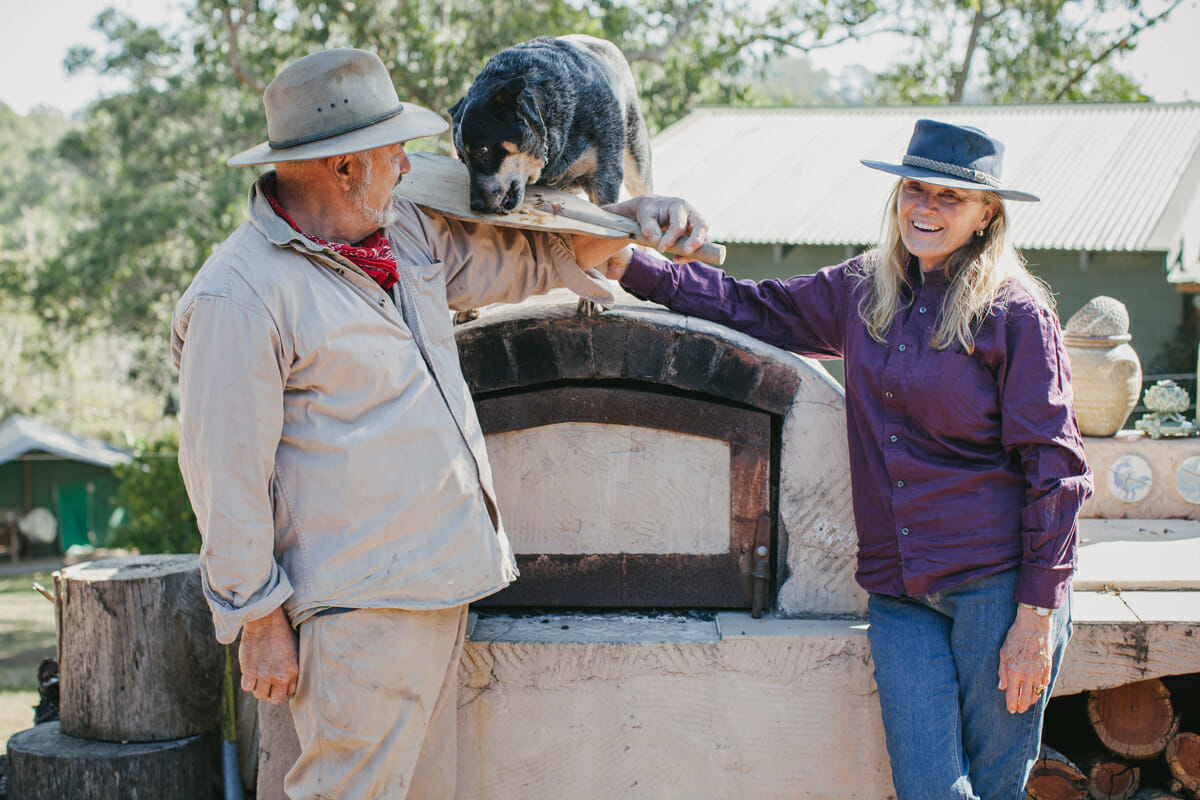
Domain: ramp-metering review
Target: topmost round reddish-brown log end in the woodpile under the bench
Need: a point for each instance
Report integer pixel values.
(1136, 720)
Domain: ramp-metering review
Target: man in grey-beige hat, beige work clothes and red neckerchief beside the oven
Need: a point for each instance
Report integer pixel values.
(329, 443)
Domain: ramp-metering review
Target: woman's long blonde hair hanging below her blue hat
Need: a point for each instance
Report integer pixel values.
(980, 274)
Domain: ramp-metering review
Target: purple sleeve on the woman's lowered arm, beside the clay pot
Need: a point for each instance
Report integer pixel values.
(1039, 424)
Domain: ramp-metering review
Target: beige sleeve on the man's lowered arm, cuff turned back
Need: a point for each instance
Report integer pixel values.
(231, 380)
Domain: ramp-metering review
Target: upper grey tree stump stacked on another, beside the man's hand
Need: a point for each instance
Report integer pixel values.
(137, 655)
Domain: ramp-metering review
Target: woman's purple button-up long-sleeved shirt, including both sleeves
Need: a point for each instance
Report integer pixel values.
(962, 465)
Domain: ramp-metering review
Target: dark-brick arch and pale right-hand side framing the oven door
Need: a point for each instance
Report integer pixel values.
(541, 342)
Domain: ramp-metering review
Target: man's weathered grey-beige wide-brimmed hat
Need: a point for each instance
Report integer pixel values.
(332, 104)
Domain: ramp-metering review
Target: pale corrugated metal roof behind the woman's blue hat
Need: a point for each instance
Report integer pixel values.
(1107, 175)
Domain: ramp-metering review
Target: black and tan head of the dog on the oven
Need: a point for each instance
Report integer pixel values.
(500, 135)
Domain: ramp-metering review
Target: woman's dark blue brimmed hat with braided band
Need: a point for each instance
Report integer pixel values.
(953, 155)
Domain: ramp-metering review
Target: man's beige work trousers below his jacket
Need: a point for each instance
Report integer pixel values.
(376, 706)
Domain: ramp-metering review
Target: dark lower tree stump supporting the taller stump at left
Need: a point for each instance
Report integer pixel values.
(47, 765)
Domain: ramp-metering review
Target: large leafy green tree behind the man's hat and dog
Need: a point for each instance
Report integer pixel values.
(155, 196)
